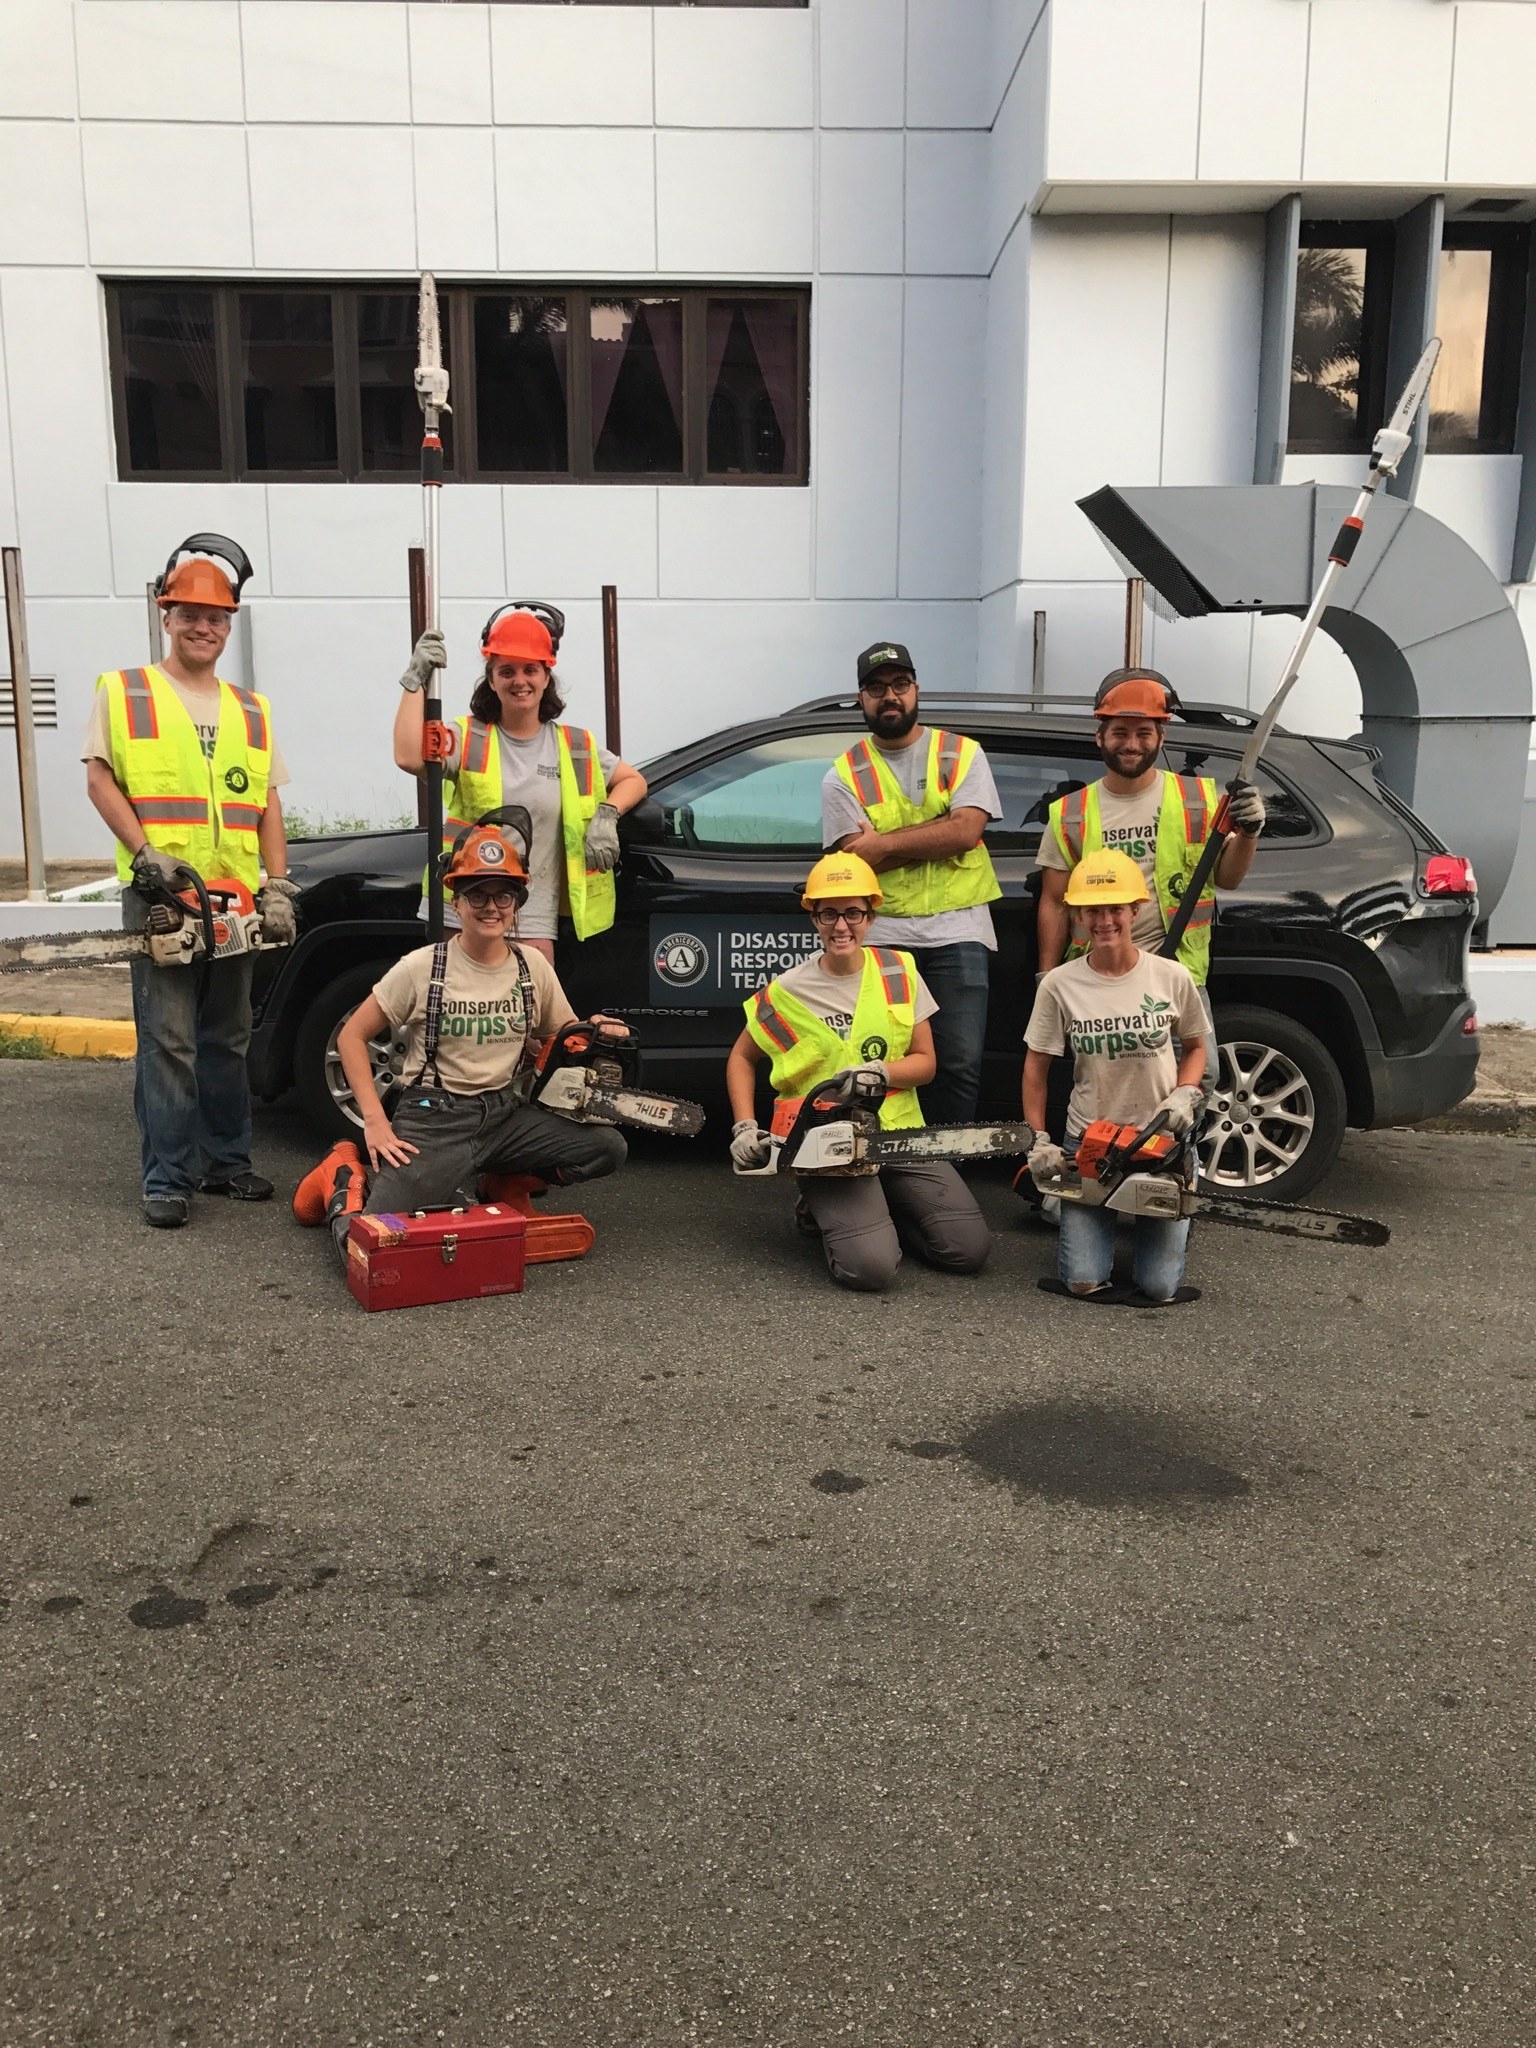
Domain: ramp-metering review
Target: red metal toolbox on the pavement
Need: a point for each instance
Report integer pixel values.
(437, 1254)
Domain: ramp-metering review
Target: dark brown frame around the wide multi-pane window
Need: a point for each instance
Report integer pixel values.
(458, 304)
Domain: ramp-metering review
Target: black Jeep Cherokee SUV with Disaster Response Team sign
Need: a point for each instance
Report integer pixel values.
(1338, 970)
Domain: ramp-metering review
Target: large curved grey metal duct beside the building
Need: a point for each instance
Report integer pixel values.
(1445, 677)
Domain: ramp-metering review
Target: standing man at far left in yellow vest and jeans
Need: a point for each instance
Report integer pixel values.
(185, 771)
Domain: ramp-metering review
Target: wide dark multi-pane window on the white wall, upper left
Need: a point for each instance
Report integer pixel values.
(548, 384)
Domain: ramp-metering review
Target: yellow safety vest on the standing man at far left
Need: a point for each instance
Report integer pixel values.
(202, 812)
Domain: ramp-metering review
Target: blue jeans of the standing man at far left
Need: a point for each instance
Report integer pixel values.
(191, 1093)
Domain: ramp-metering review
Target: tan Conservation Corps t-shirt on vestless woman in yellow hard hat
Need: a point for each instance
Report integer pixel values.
(1121, 1035)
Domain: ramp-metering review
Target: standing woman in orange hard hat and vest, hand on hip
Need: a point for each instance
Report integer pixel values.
(513, 751)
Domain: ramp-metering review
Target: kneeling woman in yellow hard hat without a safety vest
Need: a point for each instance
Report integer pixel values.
(1119, 1013)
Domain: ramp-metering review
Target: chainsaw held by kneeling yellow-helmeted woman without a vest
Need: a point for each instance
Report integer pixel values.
(1152, 1175)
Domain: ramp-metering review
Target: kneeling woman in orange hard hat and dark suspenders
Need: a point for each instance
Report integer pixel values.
(460, 1119)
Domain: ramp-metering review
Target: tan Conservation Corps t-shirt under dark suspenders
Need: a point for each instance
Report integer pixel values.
(484, 1023)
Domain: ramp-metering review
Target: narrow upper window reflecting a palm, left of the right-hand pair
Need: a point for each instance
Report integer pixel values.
(1338, 351)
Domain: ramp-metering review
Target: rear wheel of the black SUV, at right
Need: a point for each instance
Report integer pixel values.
(1277, 1113)
